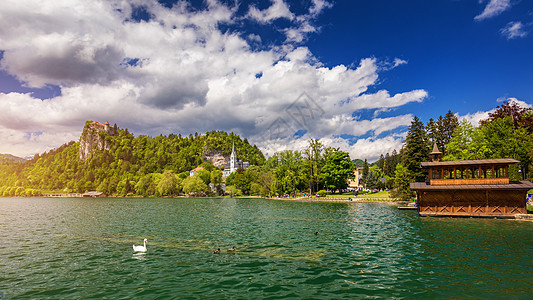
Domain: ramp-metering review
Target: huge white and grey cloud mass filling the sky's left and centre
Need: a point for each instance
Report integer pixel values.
(178, 72)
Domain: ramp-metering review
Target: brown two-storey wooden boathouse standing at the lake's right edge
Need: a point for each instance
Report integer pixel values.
(470, 188)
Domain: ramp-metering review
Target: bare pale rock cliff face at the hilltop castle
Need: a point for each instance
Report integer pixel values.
(93, 138)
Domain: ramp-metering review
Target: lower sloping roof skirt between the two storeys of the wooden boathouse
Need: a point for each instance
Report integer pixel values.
(513, 185)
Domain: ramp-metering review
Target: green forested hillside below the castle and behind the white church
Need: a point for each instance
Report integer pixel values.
(119, 169)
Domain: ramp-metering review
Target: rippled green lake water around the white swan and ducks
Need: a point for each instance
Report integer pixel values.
(82, 248)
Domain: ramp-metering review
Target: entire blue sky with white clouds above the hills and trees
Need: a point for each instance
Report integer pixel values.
(277, 72)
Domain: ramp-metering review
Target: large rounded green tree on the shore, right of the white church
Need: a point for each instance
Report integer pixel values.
(337, 169)
